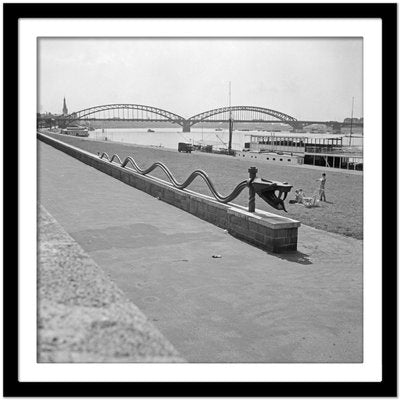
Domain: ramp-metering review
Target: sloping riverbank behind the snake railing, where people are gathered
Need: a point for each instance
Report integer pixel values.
(342, 213)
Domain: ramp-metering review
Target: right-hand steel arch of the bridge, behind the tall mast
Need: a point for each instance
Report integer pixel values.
(238, 113)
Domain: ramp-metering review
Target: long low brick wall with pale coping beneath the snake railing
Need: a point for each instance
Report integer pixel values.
(265, 230)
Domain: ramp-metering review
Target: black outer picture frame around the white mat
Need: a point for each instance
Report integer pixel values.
(12, 13)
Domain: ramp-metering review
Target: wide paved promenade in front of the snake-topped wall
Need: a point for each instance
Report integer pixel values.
(245, 306)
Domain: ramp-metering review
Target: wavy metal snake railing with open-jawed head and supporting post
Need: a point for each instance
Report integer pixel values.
(264, 188)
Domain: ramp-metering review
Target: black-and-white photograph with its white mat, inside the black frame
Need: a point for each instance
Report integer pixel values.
(202, 201)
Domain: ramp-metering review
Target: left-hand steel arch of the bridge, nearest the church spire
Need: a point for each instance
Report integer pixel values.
(137, 112)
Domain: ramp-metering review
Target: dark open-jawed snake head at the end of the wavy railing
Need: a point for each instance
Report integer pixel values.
(272, 192)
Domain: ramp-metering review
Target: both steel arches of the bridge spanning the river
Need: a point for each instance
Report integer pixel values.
(143, 113)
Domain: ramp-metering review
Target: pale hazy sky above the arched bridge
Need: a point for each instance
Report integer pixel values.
(307, 78)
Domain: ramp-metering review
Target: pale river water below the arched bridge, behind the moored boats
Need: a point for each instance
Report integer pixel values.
(170, 137)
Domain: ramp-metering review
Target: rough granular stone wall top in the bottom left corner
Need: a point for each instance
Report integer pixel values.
(83, 317)
